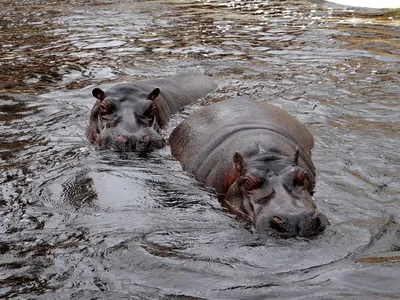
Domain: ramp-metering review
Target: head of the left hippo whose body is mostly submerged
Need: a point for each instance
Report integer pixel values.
(125, 118)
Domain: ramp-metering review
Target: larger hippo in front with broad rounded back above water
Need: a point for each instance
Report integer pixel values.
(257, 157)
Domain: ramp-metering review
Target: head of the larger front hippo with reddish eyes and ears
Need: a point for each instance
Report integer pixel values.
(275, 194)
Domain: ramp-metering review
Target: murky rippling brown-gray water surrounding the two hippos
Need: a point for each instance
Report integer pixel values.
(79, 223)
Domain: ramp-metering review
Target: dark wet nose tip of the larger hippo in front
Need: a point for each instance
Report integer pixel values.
(305, 224)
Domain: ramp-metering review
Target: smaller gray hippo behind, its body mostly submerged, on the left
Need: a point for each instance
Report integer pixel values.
(128, 116)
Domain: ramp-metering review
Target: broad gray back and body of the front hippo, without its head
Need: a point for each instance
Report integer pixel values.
(206, 141)
